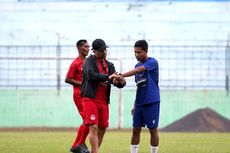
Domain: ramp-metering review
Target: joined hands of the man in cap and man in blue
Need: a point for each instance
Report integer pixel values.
(117, 80)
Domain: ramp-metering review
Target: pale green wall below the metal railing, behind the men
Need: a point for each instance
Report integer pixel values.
(44, 108)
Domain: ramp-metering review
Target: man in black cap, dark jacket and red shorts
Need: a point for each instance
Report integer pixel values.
(98, 75)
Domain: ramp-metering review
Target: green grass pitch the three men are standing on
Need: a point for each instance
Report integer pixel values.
(114, 142)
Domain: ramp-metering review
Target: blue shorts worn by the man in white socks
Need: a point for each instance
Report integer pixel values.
(146, 115)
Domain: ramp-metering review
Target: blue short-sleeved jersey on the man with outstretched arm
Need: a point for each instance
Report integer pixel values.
(147, 83)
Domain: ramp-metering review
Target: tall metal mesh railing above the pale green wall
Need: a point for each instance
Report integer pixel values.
(181, 67)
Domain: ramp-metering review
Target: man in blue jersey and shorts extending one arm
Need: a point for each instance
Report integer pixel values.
(147, 103)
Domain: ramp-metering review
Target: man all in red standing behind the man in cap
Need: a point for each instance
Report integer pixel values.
(74, 77)
